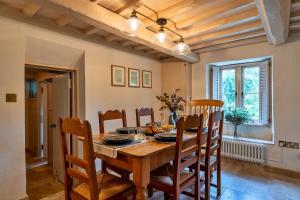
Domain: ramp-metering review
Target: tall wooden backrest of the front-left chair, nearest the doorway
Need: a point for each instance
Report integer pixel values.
(73, 163)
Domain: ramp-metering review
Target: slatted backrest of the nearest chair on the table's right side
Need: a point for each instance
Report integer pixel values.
(190, 155)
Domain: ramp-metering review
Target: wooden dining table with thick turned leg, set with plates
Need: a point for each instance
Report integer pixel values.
(142, 158)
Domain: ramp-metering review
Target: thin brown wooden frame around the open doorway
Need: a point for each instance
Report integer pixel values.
(74, 98)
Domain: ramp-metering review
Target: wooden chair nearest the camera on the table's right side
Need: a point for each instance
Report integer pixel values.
(177, 182)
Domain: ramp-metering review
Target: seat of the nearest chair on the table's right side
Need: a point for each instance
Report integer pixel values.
(164, 175)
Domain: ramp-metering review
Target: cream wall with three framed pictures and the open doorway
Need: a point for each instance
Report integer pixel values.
(18, 44)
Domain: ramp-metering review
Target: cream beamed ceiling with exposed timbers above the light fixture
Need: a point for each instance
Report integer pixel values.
(206, 25)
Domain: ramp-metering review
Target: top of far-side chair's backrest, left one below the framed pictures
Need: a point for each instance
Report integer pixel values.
(111, 115)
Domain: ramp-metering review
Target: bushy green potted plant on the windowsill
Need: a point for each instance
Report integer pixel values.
(237, 117)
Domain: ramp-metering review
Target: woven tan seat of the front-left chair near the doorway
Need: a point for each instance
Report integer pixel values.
(109, 185)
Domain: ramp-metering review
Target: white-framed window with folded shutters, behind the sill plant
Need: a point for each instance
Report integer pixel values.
(245, 85)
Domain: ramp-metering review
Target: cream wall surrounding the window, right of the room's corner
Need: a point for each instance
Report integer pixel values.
(286, 93)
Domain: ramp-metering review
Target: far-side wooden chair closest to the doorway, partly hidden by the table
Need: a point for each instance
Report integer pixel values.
(108, 116)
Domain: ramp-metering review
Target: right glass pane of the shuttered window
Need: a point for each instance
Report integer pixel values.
(251, 92)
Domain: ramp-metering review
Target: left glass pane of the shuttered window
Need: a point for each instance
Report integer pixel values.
(228, 88)
